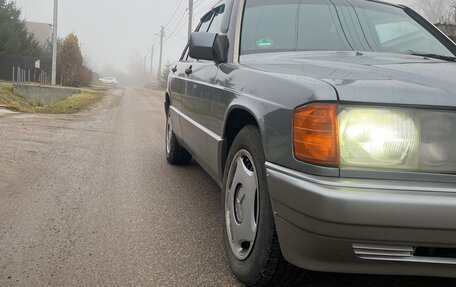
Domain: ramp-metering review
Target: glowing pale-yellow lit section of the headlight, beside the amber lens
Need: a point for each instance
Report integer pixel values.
(374, 137)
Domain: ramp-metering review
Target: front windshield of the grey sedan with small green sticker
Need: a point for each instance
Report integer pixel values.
(319, 25)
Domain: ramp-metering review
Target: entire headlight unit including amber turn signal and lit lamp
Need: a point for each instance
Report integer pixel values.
(376, 137)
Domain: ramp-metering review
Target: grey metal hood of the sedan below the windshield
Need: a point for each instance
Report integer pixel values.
(382, 78)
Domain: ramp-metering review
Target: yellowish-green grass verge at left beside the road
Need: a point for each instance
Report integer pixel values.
(69, 105)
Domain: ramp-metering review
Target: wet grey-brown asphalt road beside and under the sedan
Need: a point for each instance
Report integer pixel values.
(89, 200)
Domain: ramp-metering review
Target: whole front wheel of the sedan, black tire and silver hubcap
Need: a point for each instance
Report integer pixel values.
(251, 241)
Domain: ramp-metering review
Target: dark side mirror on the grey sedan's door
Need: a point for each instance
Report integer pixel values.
(209, 46)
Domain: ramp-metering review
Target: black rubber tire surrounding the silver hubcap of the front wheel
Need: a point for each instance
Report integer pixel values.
(265, 265)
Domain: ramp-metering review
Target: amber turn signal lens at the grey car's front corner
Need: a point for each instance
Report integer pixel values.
(315, 134)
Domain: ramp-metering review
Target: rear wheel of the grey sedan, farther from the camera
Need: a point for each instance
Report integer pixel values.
(175, 153)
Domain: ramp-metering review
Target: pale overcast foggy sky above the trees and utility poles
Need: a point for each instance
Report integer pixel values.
(113, 31)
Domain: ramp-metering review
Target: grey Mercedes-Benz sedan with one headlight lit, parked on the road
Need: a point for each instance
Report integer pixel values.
(330, 126)
